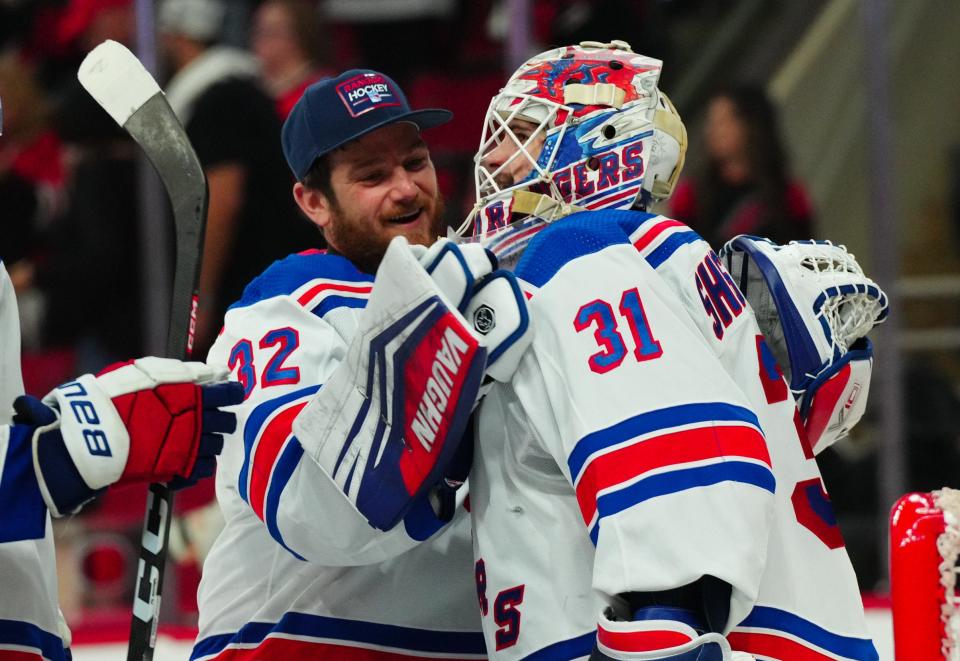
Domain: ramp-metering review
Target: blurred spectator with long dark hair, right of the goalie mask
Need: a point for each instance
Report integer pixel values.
(745, 186)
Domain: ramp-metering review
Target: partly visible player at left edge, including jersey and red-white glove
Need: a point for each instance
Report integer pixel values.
(149, 420)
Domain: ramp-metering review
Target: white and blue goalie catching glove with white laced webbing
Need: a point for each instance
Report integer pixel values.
(815, 306)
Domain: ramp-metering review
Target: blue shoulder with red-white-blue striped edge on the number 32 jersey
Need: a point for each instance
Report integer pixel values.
(315, 280)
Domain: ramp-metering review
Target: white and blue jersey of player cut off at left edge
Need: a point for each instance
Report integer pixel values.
(30, 623)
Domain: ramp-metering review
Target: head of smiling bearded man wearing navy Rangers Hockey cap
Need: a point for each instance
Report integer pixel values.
(364, 173)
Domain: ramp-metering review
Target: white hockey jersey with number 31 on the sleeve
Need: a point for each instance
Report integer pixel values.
(624, 456)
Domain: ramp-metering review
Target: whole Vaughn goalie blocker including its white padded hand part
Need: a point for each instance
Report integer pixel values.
(388, 422)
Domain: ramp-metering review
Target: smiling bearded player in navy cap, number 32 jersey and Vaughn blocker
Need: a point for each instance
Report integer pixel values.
(391, 369)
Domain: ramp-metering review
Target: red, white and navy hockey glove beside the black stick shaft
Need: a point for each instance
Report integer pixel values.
(150, 420)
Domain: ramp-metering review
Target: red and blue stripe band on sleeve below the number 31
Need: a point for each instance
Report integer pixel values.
(667, 451)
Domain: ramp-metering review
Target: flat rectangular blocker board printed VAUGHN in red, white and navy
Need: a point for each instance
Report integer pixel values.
(390, 418)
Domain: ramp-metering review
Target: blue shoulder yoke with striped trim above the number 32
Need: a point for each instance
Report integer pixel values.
(308, 271)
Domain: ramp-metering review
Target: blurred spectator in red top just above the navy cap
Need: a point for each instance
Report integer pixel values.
(290, 43)
